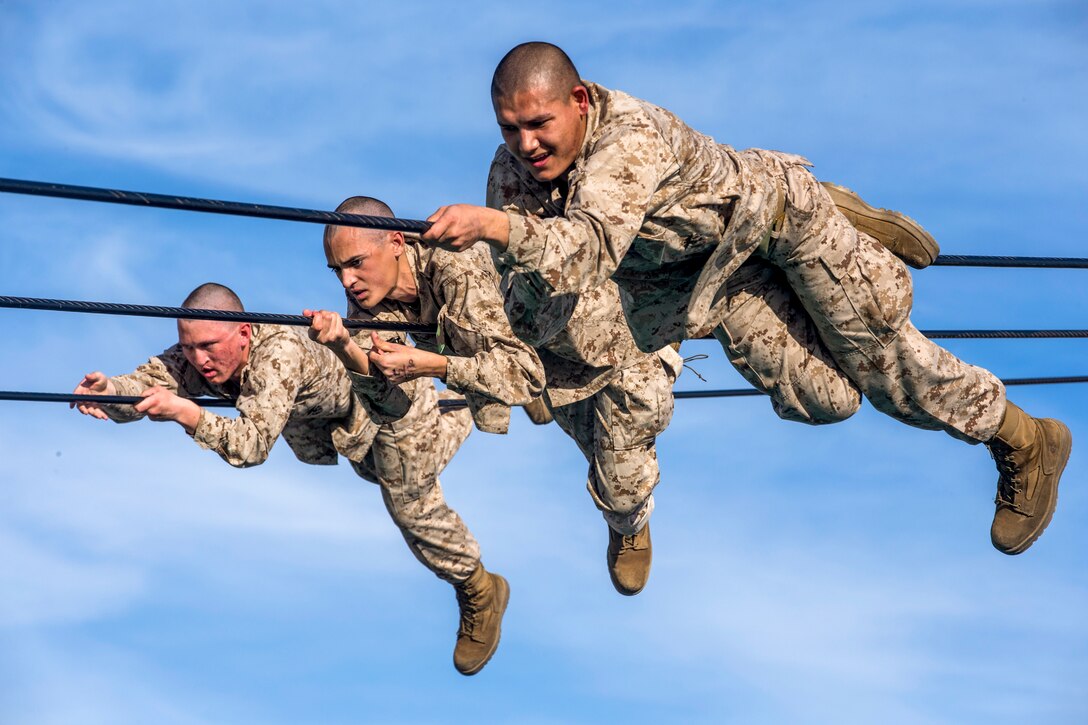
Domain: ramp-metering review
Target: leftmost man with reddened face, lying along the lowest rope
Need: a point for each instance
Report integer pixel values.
(287, 385)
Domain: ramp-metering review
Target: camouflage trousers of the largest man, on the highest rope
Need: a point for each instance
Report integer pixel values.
(822, 317)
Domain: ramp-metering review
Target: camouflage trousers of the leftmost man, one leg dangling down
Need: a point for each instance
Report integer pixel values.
(405, 461)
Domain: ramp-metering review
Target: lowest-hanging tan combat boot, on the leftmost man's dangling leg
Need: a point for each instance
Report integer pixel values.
(483, 599)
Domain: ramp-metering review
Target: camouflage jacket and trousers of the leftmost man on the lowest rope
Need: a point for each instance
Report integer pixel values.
(296, 388)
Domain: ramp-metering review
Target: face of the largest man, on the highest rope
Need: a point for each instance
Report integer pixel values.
(542, 129)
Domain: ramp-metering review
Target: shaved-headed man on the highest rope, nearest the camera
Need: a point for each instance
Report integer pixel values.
(703, 239)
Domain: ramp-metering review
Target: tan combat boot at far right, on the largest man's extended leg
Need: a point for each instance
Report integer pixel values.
(1031, 454)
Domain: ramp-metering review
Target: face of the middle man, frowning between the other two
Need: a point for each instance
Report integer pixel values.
(365, 262)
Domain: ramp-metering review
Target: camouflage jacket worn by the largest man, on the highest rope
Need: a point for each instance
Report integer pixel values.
(661, 208)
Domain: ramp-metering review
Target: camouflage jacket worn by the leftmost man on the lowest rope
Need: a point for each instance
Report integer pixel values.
(290, 386)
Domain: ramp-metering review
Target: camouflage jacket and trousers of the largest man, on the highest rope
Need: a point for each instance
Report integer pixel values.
(702, 239)
